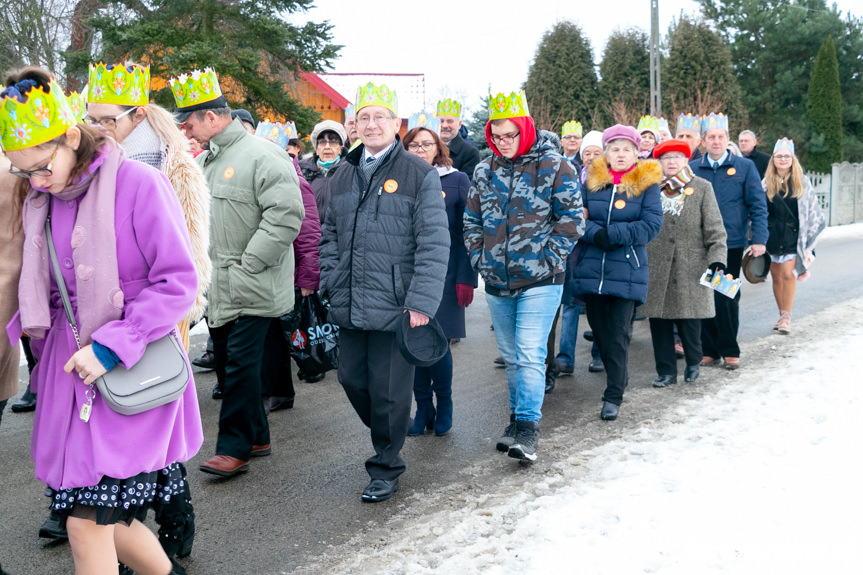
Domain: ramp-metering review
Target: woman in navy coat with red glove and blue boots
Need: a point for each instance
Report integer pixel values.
(459, 284)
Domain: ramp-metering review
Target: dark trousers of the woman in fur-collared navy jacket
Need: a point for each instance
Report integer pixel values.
(611, 320)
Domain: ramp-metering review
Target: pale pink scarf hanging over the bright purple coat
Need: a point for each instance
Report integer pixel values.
(94, 251)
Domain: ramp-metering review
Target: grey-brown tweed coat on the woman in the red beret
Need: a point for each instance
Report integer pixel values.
(677, 258)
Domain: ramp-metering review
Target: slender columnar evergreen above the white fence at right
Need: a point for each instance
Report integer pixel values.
(824, 111)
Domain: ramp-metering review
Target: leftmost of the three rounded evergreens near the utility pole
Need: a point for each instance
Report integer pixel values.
(561, 82)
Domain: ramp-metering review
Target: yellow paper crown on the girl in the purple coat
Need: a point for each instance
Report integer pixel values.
(40, 118)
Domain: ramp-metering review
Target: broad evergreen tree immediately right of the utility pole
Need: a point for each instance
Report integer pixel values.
(697, 76)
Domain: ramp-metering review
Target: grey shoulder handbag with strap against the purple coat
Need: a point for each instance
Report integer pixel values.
(159, 377)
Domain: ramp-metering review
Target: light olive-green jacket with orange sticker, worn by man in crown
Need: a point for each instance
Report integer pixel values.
(255, 213)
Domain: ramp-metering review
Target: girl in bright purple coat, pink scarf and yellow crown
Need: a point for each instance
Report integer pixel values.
(125, 257)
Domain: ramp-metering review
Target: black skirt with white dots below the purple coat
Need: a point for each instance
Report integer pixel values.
(120, 500)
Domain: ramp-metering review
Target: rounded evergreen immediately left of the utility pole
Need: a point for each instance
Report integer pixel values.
(624, 87)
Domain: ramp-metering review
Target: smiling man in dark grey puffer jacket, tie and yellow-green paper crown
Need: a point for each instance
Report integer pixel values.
(383, 253)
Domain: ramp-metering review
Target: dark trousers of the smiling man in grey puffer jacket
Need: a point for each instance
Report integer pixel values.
(378, 382)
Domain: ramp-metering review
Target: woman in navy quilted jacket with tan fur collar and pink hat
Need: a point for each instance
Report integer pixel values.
(624, 213)
